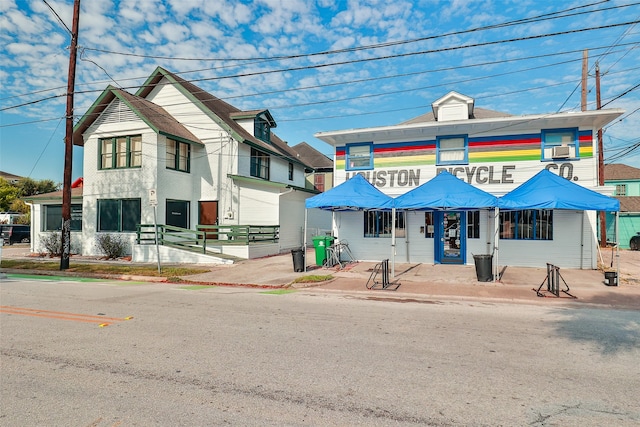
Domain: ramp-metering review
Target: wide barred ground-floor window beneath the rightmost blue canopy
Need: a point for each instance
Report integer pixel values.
(527, 224)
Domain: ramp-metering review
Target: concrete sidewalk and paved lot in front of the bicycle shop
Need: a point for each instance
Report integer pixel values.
(418, 281)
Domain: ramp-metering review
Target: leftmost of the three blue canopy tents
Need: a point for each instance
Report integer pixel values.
(354, 194)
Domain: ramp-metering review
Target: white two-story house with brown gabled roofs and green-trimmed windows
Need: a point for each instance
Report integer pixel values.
(201, 160)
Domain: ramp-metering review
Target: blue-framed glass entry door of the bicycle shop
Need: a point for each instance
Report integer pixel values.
(450, 243)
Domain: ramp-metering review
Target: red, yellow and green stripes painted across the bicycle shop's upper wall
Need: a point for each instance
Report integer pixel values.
(507, 148)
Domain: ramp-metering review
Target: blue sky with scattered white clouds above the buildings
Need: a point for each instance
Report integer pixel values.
(317, 66)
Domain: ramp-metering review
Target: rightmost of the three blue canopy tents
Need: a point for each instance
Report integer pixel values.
(546, 190)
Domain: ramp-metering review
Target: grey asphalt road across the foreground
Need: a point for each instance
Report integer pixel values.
(235, 356)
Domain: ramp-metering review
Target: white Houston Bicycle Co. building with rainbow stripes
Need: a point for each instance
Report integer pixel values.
(493, 151)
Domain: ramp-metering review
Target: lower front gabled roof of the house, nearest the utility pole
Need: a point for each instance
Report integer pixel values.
(156, 117)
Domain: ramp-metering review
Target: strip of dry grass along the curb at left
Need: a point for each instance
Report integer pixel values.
(103, 268)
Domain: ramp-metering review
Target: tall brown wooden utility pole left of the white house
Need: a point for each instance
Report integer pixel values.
(68, 142)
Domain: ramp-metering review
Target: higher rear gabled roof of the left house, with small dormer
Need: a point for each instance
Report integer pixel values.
(219, 111)
